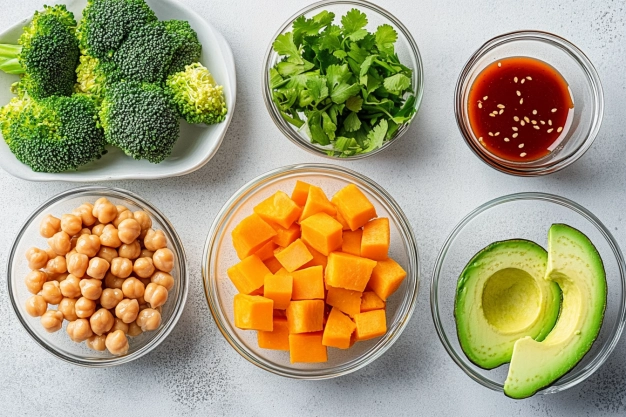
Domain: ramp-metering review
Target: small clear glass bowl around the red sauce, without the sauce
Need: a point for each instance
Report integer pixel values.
(574, 66)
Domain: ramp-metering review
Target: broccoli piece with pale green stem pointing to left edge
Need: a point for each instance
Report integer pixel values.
(47, 54)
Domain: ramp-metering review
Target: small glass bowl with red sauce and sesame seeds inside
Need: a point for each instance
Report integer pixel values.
(529, 103)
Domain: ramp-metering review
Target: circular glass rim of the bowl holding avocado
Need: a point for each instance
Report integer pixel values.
(616, 331)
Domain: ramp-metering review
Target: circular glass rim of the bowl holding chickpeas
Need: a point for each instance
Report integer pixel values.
(180, 302)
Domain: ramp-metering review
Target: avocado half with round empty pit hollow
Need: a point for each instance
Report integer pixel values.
(501, 297)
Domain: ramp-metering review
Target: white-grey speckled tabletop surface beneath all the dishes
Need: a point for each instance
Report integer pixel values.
(431, 173)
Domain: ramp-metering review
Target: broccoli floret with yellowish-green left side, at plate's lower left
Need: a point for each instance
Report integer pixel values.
(54, 134)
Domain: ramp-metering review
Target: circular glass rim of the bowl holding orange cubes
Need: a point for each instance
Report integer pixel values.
(409, 302)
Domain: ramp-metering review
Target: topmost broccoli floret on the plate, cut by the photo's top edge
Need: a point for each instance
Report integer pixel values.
(107, 23)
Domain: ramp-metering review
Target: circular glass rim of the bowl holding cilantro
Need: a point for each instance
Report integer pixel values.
(288, 130)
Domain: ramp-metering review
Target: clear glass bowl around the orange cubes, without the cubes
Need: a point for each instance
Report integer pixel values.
(219, 255)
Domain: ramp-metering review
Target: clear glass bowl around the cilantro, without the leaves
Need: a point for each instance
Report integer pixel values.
(406, 49)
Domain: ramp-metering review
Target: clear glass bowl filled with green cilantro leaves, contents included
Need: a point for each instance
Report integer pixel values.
(343, 79)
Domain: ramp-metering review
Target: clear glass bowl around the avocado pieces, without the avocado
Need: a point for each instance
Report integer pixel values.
(525, 216)
